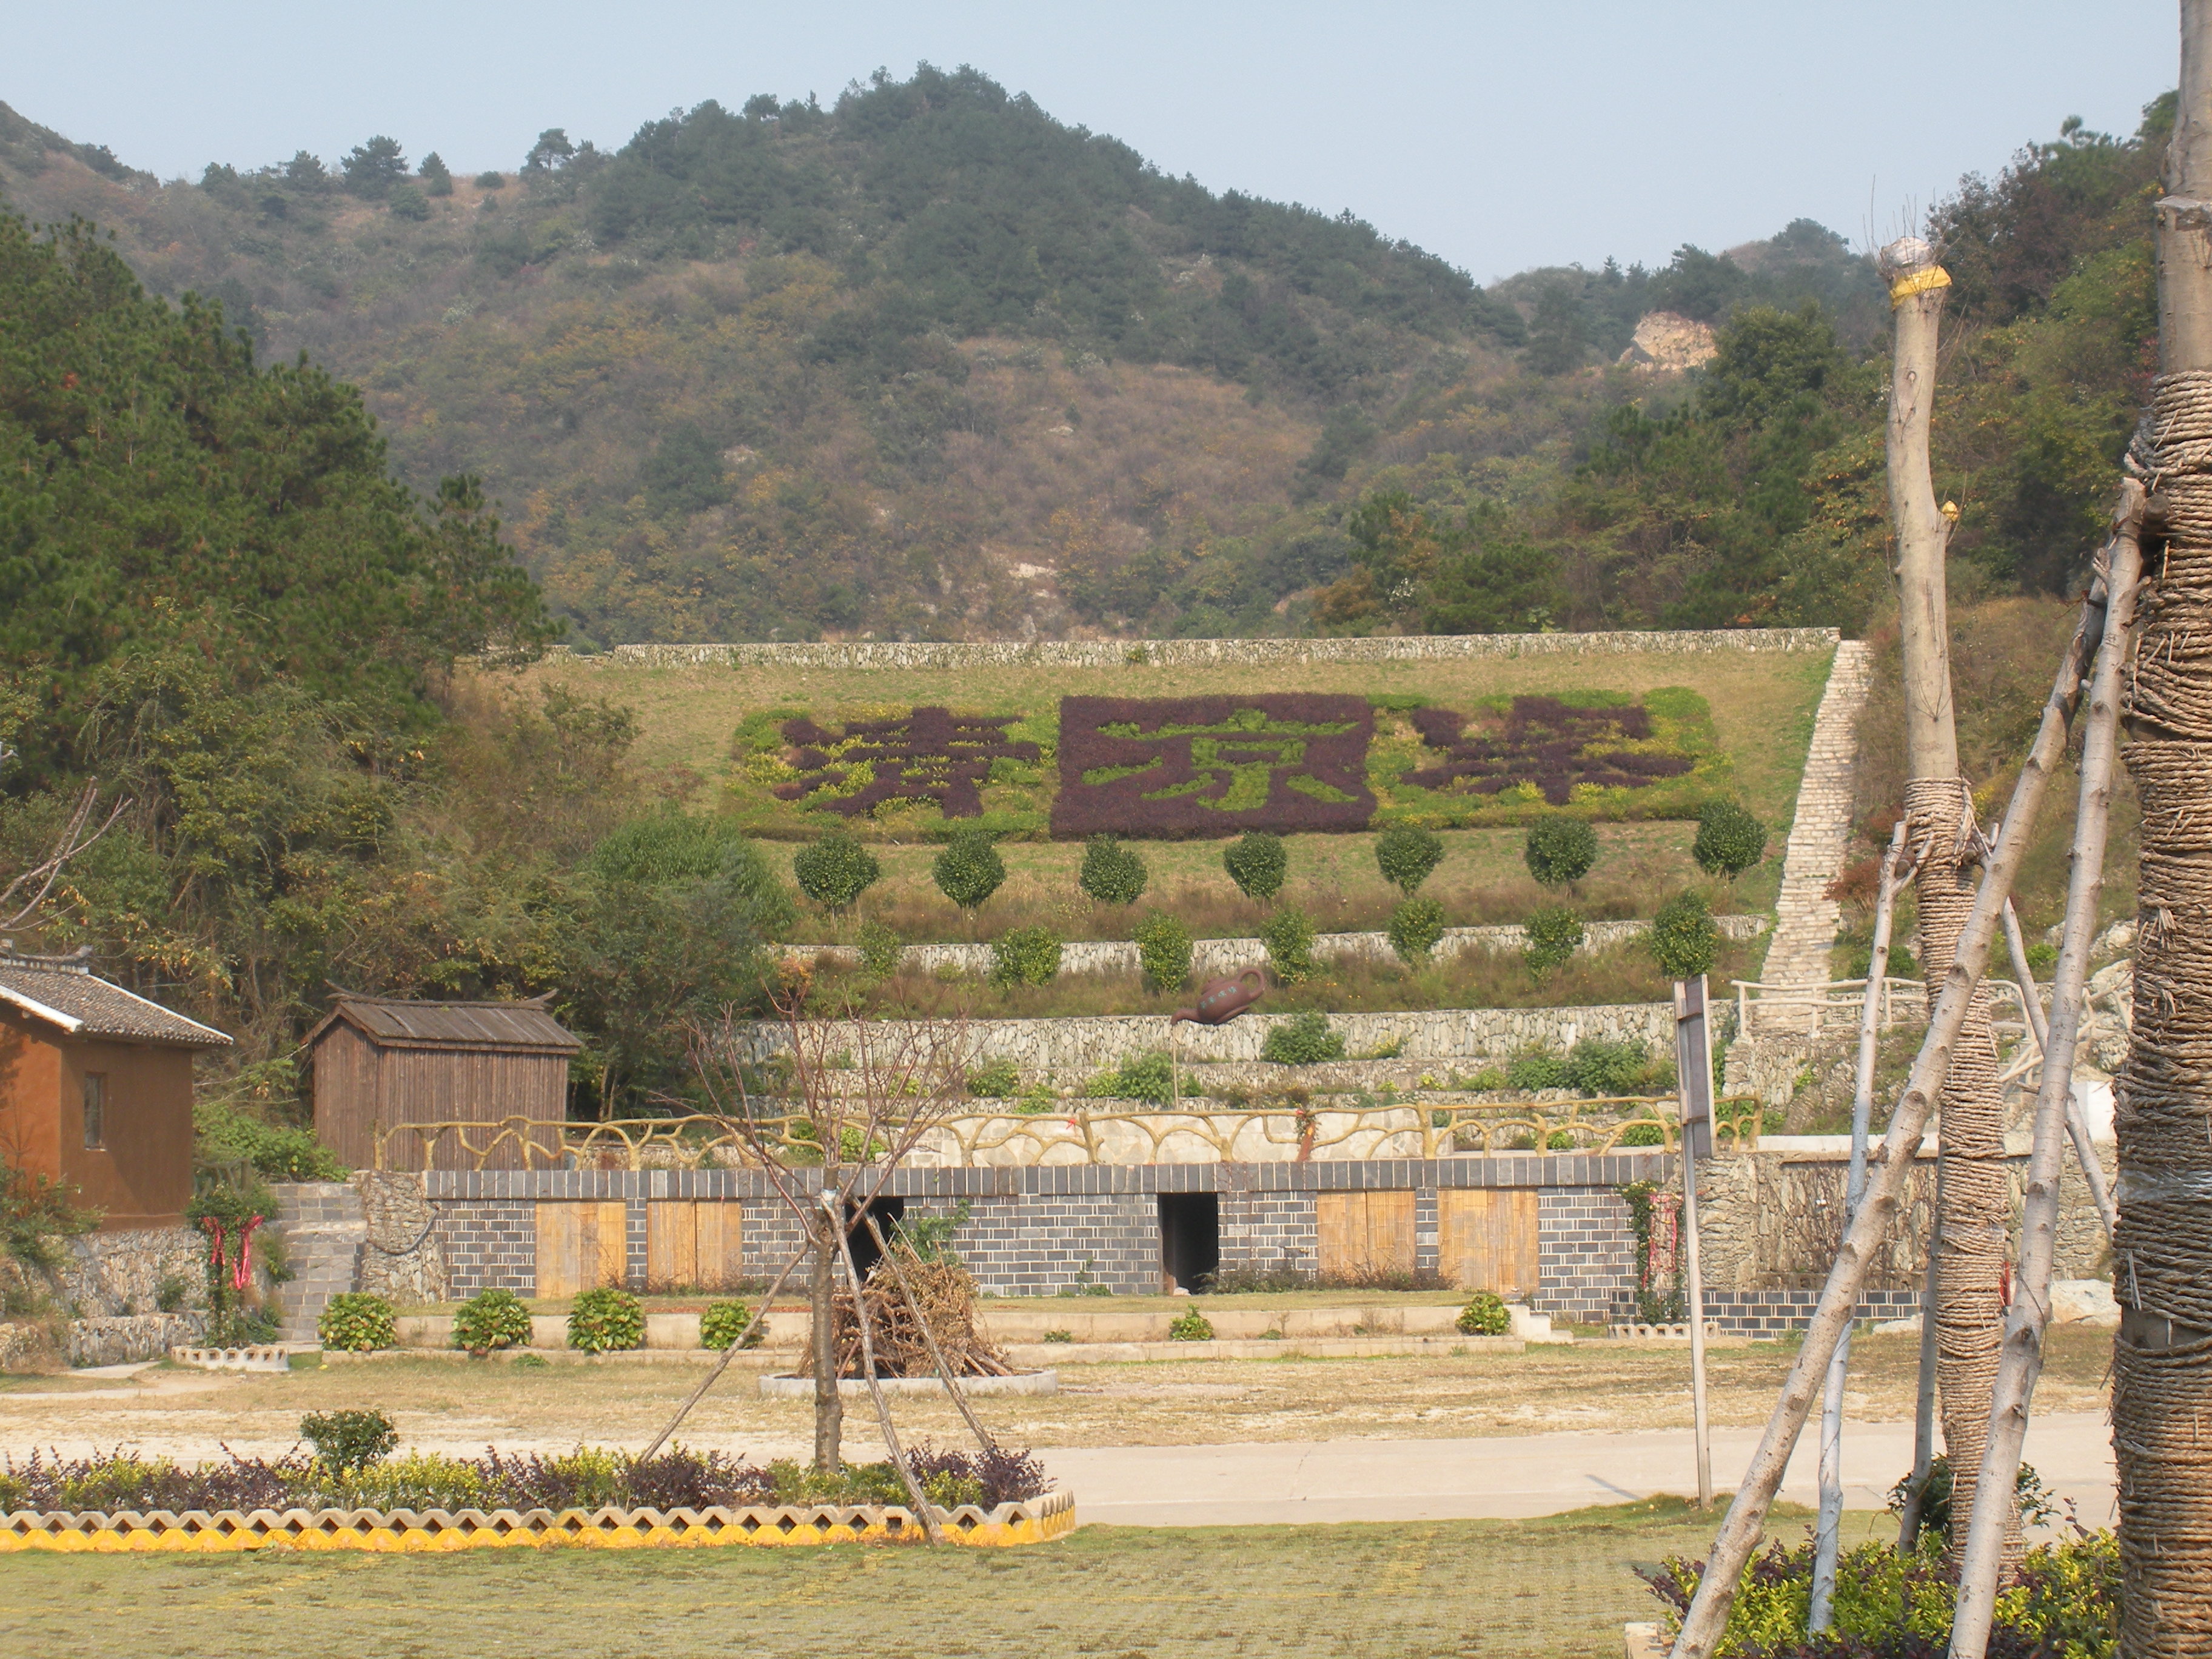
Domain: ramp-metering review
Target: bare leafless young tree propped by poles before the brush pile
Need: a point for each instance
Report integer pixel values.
(848, 1105)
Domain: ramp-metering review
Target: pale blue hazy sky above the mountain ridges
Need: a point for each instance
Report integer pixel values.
(1501, 136)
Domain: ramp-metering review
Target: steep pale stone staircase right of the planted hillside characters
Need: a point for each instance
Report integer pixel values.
(1806, 917)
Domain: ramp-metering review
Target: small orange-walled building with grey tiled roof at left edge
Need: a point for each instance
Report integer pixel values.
(96, 1089)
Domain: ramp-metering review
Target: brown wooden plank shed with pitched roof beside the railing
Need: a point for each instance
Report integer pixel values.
(384, 1063)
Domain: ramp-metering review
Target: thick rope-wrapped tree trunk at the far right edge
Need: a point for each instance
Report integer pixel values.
(2162, 1359)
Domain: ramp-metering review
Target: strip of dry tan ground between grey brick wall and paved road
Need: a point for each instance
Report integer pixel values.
(463, 1406)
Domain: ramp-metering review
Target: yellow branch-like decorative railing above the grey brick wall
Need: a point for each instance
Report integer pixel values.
(1078, 1134)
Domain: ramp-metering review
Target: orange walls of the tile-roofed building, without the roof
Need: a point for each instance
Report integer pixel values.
(143, 1173)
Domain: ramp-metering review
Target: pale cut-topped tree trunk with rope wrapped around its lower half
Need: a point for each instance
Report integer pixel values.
(1976, 1209)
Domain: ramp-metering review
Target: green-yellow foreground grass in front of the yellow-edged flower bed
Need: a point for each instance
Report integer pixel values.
(1556, 1587)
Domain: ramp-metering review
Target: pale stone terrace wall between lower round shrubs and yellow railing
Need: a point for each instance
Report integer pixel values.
(1087, 1045)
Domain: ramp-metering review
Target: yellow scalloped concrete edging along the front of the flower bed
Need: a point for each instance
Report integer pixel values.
(406, 1532)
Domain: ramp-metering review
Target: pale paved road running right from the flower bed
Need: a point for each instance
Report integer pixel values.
(1386, 1481)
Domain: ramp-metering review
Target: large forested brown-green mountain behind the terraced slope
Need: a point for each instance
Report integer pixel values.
(921, 364)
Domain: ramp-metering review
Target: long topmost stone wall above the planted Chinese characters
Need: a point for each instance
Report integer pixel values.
(1207, 654)
